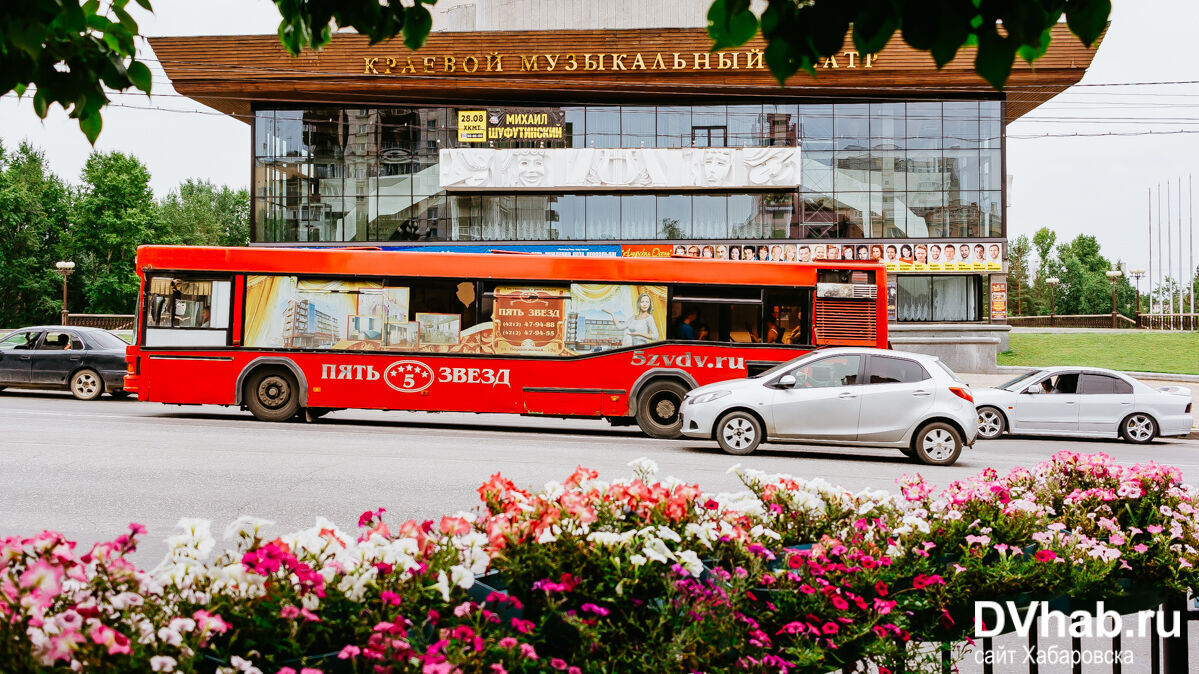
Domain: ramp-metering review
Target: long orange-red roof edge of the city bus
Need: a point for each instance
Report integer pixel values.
(350, 262)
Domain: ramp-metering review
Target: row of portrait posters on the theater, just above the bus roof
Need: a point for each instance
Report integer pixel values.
(901, 256)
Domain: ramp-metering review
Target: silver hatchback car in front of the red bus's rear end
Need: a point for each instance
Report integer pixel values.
(845, 396)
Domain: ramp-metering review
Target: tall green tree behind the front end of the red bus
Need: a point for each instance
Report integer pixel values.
(115, 214)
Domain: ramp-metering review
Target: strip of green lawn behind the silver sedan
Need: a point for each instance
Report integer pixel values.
(1132, 351)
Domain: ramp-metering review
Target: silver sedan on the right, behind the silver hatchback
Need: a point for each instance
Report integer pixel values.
(1084, 402)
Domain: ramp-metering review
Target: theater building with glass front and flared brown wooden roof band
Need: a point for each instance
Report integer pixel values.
(504, 134)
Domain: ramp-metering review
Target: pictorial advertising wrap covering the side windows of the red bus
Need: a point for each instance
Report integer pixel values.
(284, 312)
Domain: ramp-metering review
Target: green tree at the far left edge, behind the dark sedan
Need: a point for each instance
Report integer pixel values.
(34, 208)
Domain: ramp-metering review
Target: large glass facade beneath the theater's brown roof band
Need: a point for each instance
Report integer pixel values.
(870, 171)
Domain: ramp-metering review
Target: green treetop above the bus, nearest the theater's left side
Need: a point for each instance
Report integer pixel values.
(200, 214)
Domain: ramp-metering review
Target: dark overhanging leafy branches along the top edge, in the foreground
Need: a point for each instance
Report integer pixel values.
(95, 41)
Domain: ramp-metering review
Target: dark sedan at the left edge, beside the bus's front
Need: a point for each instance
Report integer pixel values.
(87, 362)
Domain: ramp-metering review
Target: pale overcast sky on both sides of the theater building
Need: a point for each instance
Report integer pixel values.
(1095, 184)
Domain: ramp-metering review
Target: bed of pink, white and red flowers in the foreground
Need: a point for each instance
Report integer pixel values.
(636, 575)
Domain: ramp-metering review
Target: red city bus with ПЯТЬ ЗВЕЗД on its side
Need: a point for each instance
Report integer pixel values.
(285, 333)
